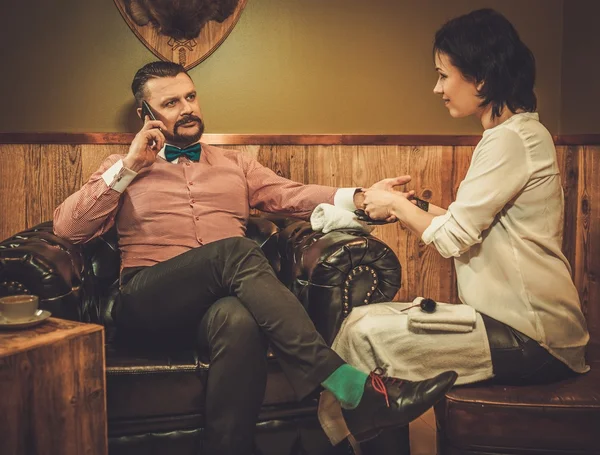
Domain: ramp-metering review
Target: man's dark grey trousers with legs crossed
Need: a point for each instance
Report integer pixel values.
(226, 295)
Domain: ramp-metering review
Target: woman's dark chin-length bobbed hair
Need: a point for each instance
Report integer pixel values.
(486, 48)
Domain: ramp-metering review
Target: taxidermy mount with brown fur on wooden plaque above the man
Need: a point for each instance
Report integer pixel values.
(182, 31)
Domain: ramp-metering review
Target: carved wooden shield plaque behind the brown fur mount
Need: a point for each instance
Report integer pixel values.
(189, 52)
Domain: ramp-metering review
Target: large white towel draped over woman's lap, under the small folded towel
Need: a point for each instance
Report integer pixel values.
(377, 335)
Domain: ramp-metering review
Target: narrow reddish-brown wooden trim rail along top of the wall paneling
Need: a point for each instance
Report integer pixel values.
(280, 139)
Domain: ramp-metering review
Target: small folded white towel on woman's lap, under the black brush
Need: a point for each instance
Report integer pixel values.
(446, 318)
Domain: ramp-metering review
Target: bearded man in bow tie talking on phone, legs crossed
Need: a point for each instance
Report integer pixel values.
(180, 207)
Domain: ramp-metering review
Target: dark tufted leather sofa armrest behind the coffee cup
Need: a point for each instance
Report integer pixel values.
(35, 261)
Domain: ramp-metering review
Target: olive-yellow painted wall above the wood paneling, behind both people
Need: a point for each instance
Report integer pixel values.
(289, 66)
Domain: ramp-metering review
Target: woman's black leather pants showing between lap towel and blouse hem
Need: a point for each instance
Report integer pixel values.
(519, 360)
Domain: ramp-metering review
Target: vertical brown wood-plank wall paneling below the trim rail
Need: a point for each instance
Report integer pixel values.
(35, 178)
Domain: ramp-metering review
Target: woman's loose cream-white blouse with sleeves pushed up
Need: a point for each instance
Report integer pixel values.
(505, 233)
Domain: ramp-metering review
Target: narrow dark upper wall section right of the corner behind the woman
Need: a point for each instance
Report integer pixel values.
(580, 111)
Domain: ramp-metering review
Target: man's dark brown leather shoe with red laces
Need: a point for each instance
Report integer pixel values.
(392, 402)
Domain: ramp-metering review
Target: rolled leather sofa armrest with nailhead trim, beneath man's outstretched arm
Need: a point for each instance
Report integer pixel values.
(335, 272)
